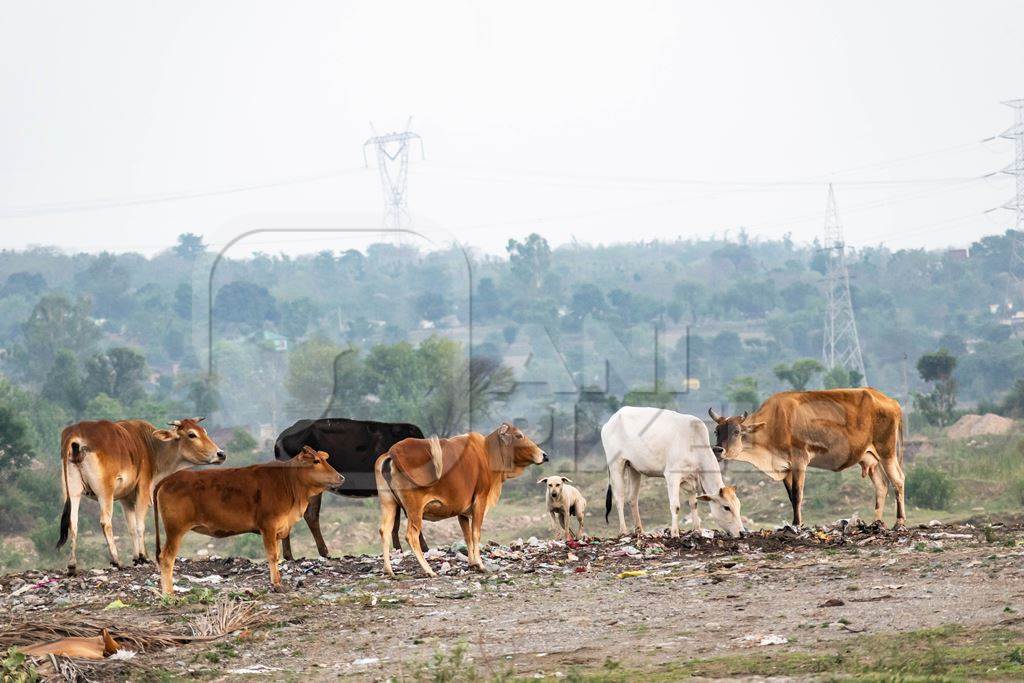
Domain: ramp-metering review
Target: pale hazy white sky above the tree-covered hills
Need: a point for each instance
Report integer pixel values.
(595, 121)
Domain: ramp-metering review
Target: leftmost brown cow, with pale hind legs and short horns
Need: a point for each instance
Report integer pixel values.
(122, 461)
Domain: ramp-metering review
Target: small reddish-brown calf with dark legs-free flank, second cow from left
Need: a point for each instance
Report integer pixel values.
(265, 499)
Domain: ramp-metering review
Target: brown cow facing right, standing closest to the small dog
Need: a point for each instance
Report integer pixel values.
(439, 479)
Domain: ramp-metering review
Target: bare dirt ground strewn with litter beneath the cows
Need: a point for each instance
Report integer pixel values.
(795, 604)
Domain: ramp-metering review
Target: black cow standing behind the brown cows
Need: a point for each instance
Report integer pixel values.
(354, 447)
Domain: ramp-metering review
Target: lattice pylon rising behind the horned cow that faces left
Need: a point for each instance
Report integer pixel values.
(841, 345)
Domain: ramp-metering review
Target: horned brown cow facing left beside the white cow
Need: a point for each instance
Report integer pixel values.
(832, 431)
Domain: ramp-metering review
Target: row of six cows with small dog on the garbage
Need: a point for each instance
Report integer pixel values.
(461, 477)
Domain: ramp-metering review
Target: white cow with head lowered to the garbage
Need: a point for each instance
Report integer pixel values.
(657, 443)
